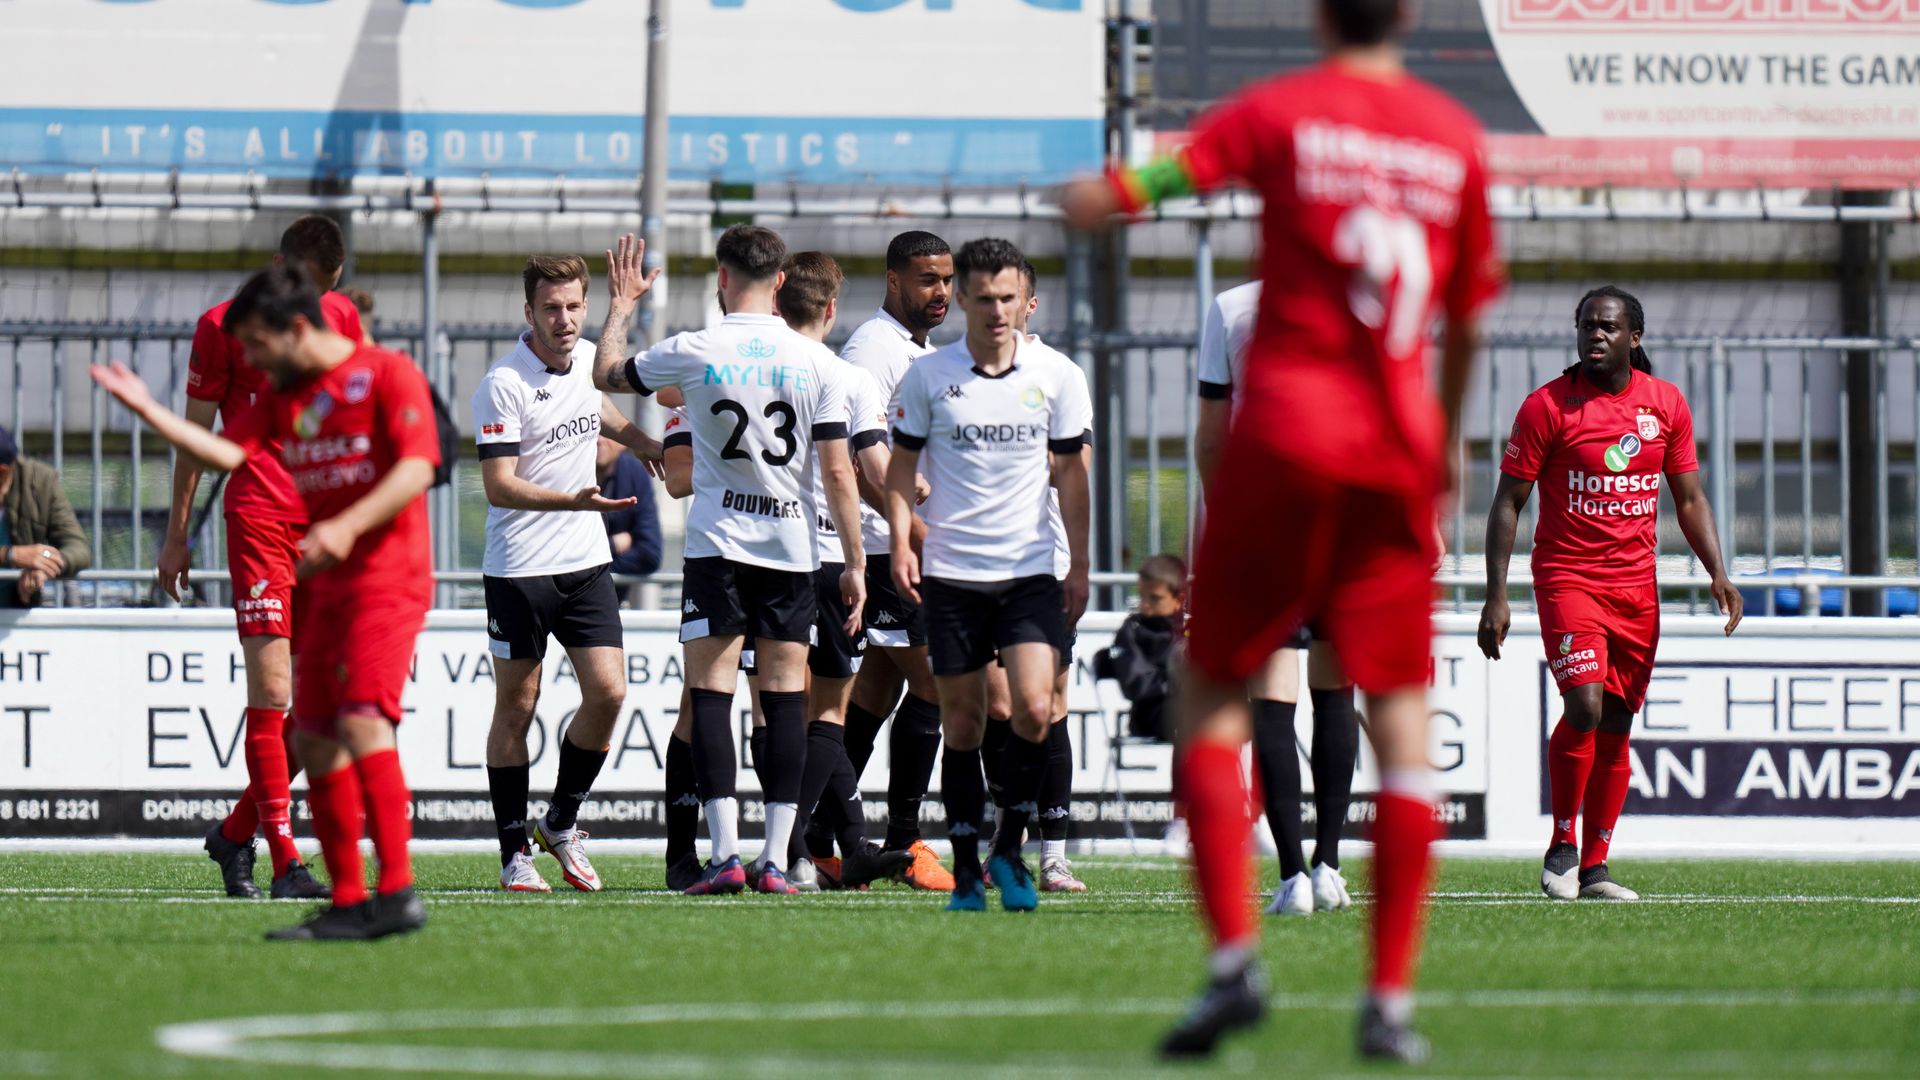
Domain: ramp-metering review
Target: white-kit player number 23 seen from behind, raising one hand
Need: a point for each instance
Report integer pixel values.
(763, 403)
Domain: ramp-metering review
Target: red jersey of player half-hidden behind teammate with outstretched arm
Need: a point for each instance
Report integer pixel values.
(220, 372)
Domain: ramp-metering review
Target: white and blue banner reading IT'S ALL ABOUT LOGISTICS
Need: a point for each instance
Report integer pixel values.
(757, 89)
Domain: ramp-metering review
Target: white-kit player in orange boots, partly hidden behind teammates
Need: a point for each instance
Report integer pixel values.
(921, 276)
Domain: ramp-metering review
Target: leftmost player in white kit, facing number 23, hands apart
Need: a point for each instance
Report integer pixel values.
(548, 566)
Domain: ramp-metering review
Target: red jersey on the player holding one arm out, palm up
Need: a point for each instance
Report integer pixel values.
(339, 435)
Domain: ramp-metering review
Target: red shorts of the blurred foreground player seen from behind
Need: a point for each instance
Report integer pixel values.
(1285, 547)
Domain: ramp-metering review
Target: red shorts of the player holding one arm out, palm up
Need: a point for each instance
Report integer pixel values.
(356, 652)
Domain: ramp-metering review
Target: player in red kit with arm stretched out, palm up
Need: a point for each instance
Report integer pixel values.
(356, 431)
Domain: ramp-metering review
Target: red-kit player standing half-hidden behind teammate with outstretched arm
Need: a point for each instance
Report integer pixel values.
(264, 526)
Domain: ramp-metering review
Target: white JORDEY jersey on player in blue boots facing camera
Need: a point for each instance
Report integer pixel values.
(984, 447)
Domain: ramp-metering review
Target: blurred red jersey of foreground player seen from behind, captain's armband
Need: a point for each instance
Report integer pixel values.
(1376, 216)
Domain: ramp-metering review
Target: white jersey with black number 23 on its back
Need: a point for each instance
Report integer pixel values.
(759, 397)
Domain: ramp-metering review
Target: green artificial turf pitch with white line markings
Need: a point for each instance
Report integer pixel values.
(1727, 970)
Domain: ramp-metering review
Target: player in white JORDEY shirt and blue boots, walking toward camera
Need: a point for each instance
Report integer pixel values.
(994, 420)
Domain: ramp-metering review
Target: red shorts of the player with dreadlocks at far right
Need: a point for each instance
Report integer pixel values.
(1602, 635)
